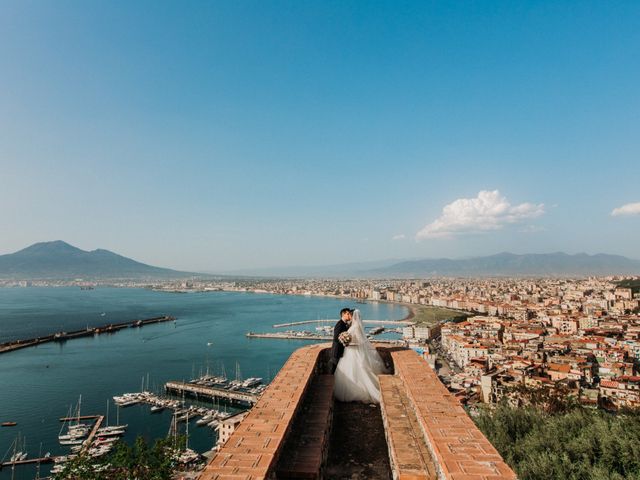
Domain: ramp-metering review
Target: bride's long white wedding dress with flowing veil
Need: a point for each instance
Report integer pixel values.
(356, 376)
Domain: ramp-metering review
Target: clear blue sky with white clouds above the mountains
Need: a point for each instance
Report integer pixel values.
(222, 135)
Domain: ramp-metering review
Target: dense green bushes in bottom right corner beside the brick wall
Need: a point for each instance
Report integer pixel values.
(576, 444)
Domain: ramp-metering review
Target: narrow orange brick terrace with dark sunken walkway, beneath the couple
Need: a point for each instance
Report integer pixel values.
(297, 430)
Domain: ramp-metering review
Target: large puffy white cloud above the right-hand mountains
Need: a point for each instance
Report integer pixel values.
(488, 211)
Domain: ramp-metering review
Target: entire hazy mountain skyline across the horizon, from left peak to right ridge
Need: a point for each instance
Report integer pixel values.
(60, 260)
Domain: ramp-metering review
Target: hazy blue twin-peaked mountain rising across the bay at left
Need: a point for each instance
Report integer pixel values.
(59, 260)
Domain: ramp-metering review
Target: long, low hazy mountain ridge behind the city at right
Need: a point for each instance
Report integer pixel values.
(509, 264)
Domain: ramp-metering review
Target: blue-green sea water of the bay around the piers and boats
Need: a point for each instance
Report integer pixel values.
(39, 385)
